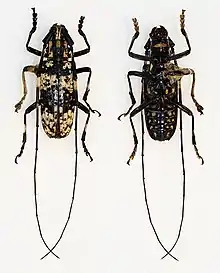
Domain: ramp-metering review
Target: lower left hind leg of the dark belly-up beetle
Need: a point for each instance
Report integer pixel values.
(137, 110)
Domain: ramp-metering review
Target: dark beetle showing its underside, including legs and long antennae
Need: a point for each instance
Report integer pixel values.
(161, 98)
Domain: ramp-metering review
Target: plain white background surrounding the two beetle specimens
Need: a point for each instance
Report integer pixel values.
(109, 229)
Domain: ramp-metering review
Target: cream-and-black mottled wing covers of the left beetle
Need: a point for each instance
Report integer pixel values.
(57, 94)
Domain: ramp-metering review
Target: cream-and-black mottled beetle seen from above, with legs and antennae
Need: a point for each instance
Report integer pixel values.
(56, 95)
